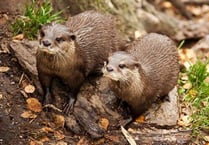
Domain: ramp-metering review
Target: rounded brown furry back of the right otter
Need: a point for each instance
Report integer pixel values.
(158, 57)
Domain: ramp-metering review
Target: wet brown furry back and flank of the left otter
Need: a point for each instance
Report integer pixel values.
(96, 36)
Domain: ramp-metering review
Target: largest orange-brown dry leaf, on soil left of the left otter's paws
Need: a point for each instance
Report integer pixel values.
(34, 105)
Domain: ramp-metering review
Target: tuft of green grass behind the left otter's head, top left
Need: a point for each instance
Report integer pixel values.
(34, 16)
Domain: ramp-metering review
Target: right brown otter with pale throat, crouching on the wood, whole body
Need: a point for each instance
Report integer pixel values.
(147, 70)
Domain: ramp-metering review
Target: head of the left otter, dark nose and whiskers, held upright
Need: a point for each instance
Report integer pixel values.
(56, 39)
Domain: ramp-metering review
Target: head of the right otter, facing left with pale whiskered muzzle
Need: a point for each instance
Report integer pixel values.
(121, 66)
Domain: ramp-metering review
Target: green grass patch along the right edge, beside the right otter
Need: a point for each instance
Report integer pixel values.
(198, 97)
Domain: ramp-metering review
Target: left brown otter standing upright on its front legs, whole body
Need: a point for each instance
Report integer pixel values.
(75, 50)
